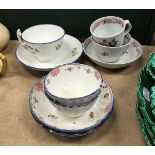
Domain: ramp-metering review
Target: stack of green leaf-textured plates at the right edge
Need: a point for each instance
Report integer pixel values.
(145, 107)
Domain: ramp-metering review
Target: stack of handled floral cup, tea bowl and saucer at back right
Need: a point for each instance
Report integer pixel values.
(111, 45)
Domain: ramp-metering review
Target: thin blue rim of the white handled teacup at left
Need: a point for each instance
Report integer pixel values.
(43, 42)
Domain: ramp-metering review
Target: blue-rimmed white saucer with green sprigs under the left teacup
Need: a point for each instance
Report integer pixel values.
(70, 51)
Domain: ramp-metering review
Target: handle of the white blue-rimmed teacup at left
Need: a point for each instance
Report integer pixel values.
(19, 36)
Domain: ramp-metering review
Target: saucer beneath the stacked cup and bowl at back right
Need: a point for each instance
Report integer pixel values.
(133, 53)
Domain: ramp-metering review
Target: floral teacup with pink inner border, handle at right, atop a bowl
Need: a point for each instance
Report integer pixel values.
(110, 30)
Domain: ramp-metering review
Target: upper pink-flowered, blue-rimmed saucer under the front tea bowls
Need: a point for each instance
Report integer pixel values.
(48, 115)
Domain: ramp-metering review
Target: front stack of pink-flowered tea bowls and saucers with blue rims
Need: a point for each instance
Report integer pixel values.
(77, 108)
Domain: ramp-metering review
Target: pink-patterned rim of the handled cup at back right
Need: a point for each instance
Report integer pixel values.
(109, 36)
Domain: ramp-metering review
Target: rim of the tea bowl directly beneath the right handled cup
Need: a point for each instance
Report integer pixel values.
(109, 47)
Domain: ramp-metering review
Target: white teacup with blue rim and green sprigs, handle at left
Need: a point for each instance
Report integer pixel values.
(44, 41)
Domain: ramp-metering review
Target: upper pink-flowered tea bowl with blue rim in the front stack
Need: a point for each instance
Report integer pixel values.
(73, 84)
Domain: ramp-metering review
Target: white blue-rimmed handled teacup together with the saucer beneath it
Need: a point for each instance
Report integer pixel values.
(43, 47)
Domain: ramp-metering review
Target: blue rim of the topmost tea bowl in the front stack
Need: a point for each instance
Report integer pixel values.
(72, 99)
